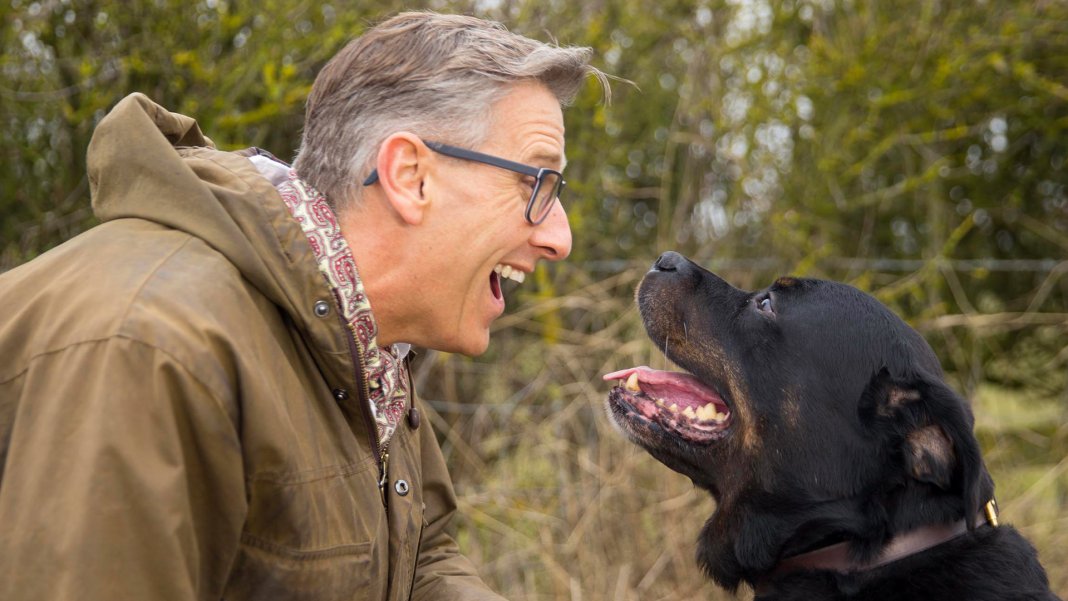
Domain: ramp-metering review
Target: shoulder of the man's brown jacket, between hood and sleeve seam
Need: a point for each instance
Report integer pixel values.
(131, 279)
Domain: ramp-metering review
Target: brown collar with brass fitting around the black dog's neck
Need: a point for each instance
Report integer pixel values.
(836, 558)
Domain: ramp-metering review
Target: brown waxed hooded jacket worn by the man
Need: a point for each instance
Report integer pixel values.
(177, 422)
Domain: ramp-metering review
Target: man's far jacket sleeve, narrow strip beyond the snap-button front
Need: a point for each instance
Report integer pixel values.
(442, 572)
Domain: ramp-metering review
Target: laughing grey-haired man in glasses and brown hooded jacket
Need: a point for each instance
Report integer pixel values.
(207, 397)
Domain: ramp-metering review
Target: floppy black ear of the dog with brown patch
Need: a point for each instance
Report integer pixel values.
(935, 425)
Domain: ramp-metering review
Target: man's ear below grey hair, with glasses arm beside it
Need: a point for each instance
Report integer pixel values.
(403, 164)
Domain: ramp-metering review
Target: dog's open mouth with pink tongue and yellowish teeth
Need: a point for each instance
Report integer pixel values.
(679, 403)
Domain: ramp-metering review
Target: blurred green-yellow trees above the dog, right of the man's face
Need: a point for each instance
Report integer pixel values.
(917, 151)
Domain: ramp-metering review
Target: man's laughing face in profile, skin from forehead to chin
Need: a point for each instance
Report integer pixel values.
(479, 225)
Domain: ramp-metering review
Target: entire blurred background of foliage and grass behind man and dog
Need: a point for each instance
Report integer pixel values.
(915, 149)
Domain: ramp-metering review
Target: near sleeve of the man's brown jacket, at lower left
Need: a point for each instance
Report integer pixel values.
(123, 479)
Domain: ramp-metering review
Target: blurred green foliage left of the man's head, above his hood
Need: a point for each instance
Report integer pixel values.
(242, 69)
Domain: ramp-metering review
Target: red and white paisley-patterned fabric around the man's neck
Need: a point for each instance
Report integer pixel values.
(385, 369)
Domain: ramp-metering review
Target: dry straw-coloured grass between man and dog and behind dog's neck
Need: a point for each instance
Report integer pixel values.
(556, 505)
